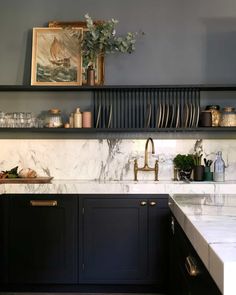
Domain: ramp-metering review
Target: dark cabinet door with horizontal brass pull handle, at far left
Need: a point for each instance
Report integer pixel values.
(42, 239)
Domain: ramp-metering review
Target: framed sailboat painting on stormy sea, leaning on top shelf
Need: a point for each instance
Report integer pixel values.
(56, 57)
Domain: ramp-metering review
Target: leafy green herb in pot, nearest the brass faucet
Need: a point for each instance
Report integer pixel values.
(184, 165)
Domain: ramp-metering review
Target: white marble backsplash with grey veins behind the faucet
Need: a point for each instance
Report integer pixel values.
(105, 159)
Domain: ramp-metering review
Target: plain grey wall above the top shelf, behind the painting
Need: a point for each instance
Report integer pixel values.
(186, 41)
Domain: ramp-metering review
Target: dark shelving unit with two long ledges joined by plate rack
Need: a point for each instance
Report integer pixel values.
(128, 108)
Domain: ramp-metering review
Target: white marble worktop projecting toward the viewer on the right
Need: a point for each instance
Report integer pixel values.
(209, 222)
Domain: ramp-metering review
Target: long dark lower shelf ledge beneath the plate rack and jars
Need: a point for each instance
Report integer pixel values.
(119, 133)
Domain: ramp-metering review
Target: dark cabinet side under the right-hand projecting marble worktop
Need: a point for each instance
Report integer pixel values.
(188, 275)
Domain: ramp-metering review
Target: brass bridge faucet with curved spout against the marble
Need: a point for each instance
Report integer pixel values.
(146, 167)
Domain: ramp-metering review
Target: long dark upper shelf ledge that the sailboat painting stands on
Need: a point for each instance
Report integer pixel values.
(201, 87)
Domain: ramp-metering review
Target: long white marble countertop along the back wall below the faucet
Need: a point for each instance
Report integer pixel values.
(120, 187)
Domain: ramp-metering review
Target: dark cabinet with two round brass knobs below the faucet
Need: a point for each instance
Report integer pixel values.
(124, 239)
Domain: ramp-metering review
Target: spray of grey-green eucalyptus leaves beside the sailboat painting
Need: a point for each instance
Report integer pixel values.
(101, 39)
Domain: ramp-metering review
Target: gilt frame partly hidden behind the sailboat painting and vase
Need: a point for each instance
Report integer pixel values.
(99, 65)
